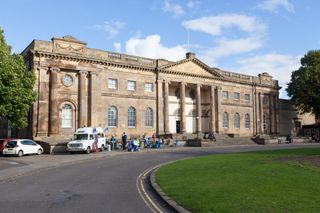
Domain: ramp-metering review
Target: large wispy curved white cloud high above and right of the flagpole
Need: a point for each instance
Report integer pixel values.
(215, 25)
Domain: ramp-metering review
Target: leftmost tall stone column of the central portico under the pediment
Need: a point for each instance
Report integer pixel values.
(160, 110)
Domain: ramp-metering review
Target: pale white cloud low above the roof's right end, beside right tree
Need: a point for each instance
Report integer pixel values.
(277, 65)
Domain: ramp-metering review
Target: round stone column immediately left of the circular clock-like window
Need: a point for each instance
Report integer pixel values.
(53, 102)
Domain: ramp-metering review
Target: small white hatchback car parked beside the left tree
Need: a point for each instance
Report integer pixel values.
(22, 147)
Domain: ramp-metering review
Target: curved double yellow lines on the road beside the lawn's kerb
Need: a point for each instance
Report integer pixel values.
(144, 195)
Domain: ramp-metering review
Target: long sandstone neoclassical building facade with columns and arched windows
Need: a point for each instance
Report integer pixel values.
(79, 86)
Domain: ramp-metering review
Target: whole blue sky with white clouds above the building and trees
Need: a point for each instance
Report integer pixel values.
(247, 36)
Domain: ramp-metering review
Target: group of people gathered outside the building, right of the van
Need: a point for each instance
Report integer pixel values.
(135, 144)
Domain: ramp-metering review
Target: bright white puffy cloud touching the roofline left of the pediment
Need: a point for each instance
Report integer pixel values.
(151, 47)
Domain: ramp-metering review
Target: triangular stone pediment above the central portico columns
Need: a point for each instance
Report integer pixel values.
(191, 67)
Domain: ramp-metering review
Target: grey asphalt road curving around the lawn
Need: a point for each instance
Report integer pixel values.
(106, 183)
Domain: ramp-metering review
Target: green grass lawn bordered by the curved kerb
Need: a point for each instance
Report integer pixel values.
(268, 181)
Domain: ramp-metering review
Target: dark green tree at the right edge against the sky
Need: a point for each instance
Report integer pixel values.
(304, 86)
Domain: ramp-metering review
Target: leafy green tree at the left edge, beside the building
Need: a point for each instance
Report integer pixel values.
(16, 86)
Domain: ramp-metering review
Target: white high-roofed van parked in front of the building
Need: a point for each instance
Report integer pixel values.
(84, 139)
